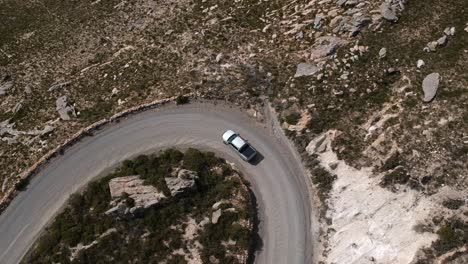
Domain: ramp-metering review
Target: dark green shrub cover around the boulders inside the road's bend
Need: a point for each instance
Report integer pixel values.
(78, 223)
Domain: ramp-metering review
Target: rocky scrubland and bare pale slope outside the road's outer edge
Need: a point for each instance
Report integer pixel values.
(373, 93)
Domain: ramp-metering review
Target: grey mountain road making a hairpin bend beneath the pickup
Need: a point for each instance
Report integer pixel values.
(278, 183)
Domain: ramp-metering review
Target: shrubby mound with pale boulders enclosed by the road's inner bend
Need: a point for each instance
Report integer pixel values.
(181, 208)
